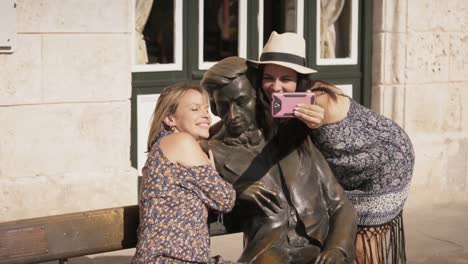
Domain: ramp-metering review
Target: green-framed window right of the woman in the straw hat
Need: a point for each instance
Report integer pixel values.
(339, 42)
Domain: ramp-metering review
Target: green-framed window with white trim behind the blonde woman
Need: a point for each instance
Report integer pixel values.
(169, 37)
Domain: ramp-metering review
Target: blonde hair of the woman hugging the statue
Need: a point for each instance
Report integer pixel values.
(167, 104)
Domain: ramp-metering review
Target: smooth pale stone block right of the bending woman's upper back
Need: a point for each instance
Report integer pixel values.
(434, 107)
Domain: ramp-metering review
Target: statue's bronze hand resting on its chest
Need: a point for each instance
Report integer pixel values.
(265, 198)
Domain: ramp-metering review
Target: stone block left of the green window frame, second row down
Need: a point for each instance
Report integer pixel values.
(86, 67)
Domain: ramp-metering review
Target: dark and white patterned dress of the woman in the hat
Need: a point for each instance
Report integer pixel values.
(372, 158)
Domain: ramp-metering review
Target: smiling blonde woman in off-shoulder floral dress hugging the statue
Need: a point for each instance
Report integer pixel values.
(180, 183)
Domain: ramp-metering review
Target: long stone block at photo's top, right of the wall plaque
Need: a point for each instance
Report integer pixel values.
(58, 16)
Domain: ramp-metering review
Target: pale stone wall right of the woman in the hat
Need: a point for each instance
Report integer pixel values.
(420, 79)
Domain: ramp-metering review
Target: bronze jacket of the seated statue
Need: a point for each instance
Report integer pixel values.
(306, 185)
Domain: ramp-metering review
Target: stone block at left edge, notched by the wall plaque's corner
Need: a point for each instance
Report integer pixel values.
(20, 72)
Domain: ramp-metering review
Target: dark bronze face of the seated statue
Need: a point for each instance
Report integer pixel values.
(235, 104)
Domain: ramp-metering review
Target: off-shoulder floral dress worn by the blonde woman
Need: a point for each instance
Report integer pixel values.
(174, 209)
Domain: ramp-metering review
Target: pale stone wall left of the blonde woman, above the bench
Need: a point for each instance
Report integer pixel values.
(65, 109)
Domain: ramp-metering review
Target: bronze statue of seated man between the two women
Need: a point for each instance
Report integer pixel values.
(289, 205)
